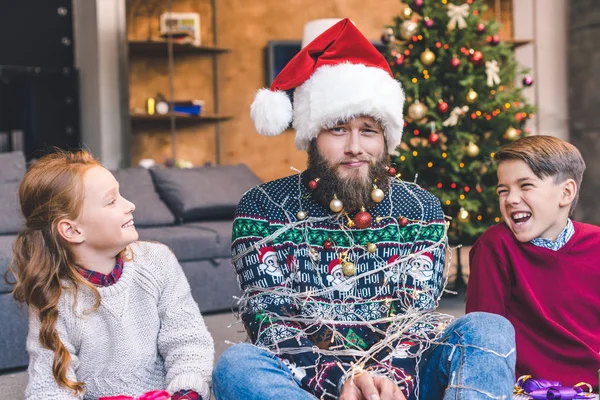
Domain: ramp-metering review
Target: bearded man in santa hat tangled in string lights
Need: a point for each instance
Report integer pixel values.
(350, 314)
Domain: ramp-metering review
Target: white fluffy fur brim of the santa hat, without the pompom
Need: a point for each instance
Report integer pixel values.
(343, 91)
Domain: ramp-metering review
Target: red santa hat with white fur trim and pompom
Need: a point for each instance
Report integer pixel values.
(337, 76)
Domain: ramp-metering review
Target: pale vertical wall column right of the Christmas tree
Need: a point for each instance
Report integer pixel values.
(545, 21)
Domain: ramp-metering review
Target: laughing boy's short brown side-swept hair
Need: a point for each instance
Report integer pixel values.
(547, 156)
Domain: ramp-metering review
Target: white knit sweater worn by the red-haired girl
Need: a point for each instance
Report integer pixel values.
(147, 334)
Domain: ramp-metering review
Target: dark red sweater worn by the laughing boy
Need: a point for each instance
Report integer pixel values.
(552, 298)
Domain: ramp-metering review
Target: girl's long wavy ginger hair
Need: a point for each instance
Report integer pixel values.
(44, 264)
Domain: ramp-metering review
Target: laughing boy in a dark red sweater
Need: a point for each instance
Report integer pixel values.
(539, 269)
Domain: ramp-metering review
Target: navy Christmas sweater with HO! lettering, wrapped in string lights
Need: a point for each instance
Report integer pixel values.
(298, 303)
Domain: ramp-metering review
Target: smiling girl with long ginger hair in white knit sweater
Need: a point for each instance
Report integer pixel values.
(108, 315)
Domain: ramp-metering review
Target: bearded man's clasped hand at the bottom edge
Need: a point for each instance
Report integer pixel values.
(366, 387)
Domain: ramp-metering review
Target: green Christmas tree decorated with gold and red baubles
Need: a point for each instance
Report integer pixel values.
(462, 105)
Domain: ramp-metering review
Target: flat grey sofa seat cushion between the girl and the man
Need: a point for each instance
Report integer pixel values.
(188, 243)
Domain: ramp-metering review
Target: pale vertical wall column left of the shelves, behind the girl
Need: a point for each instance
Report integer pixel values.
(100, 56)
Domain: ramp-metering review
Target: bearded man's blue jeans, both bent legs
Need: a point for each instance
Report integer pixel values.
(475, 361)
